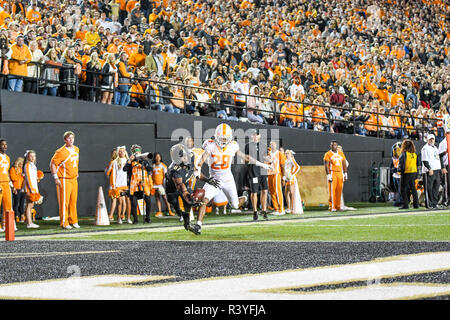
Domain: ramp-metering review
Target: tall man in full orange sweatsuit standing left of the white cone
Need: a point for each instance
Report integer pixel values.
(64, 168)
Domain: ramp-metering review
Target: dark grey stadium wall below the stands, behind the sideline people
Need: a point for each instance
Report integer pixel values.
(37, 122)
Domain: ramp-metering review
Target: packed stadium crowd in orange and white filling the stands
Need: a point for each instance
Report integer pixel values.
(376, 68)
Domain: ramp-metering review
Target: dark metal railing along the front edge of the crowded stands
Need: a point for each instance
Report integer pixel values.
(308, 120)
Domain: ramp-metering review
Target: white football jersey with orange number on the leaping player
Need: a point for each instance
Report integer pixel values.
(220, 159)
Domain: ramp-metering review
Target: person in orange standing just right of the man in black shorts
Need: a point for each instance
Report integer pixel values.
(276, 160)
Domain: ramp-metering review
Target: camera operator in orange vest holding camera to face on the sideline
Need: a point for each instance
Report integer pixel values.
(139, 170)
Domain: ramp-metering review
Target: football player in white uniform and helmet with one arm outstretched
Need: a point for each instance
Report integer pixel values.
(219, 154)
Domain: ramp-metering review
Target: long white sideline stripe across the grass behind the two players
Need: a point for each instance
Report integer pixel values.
(233, 224)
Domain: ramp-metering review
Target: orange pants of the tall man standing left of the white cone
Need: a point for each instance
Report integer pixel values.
(67, 200)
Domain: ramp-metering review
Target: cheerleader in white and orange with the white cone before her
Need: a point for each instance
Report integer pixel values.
(293, 198)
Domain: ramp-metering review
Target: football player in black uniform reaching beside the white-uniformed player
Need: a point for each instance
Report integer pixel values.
(178, 175)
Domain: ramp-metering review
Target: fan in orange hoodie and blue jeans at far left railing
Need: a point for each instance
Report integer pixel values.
(18, 64)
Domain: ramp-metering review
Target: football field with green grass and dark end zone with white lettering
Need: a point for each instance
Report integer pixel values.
(374, 252)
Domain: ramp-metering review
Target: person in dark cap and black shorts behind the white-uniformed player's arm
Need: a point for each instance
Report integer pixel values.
(257, 176)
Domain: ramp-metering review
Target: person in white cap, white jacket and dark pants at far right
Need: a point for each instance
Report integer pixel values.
(431, 167)
